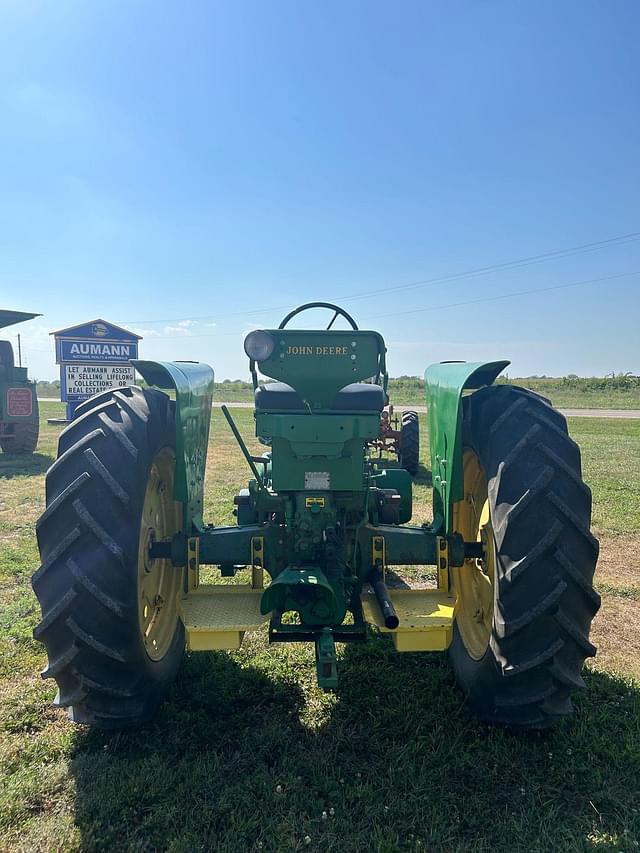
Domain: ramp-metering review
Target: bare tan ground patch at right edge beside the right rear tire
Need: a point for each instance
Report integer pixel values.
(616, 634)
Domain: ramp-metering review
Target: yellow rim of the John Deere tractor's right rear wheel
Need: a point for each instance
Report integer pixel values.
(473, 582)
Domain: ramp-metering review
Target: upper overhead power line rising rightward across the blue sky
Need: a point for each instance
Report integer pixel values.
(504, 266)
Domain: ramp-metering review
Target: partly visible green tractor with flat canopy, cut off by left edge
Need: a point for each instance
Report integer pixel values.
(19, 422)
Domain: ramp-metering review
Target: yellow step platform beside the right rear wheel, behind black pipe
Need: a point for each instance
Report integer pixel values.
(426, 618)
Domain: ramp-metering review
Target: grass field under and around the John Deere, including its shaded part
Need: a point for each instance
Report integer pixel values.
(247, 754)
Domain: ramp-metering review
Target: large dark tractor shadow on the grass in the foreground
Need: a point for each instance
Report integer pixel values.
(246, 757)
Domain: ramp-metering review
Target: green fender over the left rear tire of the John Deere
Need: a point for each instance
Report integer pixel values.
(193, 386)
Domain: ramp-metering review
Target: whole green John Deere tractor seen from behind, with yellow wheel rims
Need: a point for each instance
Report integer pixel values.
(323, 528)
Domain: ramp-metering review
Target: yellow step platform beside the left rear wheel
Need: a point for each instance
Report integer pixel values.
(216, 616)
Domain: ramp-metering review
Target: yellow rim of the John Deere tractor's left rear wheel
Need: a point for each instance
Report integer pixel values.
(159, 582)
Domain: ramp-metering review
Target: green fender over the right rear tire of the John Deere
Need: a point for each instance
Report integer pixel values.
(446, 384)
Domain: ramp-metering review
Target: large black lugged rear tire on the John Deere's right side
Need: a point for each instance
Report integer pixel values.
(544, 599)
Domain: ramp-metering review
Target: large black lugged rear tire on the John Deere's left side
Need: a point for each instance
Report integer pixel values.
(88, 539)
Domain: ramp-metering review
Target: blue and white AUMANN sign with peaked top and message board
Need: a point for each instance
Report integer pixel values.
(93, 357)
